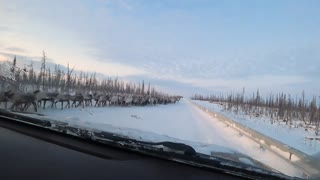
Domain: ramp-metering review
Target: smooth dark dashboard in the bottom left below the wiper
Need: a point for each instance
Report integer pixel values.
(26, 157)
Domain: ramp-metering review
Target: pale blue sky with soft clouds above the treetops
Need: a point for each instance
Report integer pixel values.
(182, 46)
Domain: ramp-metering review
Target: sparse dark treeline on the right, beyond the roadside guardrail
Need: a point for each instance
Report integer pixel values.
(278, 107)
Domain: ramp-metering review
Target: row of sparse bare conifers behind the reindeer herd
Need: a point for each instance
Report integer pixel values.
(59, 80)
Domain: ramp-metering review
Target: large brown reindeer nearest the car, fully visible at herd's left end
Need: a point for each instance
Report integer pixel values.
(23, 99)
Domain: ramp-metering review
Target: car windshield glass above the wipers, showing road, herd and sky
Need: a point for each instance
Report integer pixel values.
(231, 79)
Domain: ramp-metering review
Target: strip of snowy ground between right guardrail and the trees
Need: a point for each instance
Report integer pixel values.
(294, 137)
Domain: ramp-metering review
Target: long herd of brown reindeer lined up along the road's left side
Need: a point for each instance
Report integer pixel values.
(22, 101)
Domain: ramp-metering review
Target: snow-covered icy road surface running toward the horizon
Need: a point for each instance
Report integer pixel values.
(182, 121)
